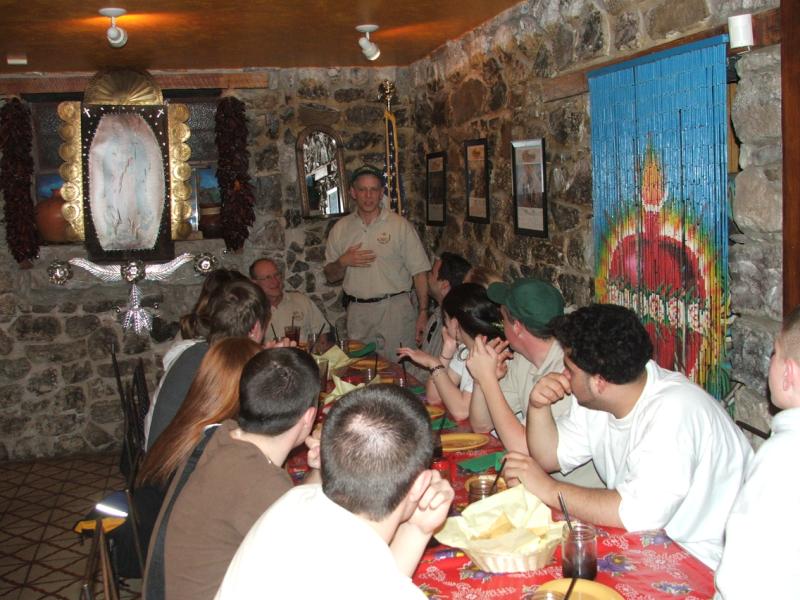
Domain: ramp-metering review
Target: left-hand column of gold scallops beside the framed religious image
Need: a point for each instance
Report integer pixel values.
(71, 170)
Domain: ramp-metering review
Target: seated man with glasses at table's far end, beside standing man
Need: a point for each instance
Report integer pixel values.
(286, 308)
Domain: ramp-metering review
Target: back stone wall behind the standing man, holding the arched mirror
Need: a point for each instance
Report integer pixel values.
(57, 390)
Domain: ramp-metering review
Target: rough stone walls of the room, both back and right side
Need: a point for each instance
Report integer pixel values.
(57, 395)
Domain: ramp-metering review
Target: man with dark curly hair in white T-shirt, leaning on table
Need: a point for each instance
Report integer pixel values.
(669, 453)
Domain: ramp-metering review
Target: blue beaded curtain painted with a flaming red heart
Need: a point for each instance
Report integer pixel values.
(659, 157)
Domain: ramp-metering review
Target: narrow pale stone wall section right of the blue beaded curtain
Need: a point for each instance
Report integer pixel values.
(756, 252)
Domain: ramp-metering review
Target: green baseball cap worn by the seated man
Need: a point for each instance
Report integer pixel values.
(533, 301)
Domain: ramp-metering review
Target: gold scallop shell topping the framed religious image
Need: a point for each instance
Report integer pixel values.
(122, 86)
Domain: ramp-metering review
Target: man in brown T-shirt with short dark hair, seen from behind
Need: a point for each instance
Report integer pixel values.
(237, 477)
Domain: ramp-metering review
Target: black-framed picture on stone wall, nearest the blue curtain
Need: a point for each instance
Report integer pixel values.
(530, 197)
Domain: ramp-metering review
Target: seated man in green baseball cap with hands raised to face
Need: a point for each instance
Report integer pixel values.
(527, 305)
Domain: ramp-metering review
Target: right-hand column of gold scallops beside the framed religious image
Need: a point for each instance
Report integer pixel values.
(180, 170)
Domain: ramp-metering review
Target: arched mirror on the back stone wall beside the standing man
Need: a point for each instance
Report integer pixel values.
(320, 172)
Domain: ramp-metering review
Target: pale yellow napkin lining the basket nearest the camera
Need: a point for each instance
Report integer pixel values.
(510, 522)
